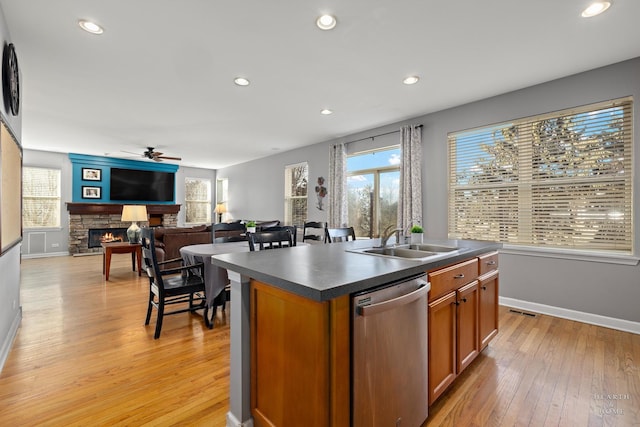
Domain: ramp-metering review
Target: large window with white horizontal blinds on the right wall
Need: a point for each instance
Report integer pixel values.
(559, 180)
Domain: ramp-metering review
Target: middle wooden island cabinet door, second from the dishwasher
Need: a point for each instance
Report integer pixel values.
(467, 325)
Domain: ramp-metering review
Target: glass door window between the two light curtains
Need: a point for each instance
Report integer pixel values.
(373, 186)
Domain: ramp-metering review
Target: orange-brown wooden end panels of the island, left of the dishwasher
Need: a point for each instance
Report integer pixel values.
(309, 383)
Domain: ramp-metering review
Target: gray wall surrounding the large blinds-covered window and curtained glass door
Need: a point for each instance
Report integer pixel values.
(593, 287)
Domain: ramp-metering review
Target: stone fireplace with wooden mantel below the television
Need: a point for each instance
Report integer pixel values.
(86, 218)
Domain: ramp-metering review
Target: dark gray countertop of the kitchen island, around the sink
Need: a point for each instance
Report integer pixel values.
(323, 272)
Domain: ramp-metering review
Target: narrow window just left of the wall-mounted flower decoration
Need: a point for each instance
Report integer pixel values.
(296, 180)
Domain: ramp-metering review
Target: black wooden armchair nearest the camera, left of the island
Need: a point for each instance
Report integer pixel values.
(179, 285)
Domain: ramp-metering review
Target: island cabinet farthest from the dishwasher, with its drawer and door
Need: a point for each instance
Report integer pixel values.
(488, 295)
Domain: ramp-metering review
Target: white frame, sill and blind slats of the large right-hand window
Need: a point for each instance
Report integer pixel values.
(528, 182)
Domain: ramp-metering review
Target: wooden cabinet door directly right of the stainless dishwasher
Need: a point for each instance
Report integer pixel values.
(442, 344)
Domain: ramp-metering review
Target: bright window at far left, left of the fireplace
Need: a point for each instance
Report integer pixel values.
(40, 197)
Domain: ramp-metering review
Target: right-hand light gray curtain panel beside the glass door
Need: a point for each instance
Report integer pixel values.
(410, 204)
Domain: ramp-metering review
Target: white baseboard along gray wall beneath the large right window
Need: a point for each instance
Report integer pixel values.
(592, 319)
